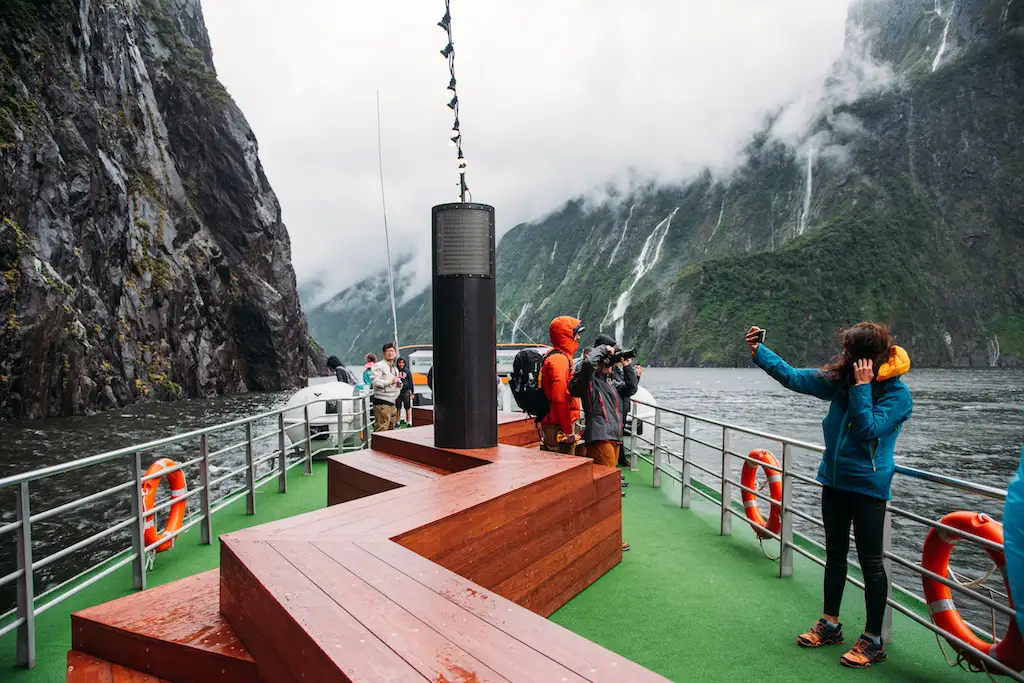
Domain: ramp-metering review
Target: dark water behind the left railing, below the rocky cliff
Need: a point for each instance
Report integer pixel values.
(34, 445)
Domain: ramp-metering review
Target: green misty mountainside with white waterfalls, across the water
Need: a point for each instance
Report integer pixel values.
(903, 202)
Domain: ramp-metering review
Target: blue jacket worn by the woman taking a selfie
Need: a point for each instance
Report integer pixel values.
(861, 429)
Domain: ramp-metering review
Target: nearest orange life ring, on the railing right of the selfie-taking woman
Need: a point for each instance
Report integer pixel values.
(935, 558)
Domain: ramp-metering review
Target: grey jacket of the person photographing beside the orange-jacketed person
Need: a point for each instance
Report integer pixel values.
(603, 397)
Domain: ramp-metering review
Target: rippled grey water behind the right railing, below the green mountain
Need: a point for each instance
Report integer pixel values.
(967, 423)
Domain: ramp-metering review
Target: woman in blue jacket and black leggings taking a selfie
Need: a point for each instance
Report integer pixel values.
(868, 411)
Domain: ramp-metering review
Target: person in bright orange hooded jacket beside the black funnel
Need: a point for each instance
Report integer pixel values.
(557, 372)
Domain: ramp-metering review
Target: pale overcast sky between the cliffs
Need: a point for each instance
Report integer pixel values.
(557, 99)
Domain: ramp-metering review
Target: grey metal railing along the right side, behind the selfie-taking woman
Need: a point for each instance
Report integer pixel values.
(787, 538)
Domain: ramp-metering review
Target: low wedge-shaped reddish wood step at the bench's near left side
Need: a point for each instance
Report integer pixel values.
(174, 632)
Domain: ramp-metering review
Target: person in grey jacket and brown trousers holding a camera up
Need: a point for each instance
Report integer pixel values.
(603, 404)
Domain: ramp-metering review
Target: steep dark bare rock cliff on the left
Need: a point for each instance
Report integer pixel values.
(142, 247)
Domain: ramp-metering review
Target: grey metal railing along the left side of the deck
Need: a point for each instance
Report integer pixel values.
(352, 433)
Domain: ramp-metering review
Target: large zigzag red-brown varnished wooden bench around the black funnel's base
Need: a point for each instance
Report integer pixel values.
(446, 576)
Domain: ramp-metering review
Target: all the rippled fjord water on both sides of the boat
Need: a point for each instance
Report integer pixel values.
(967, 423)
